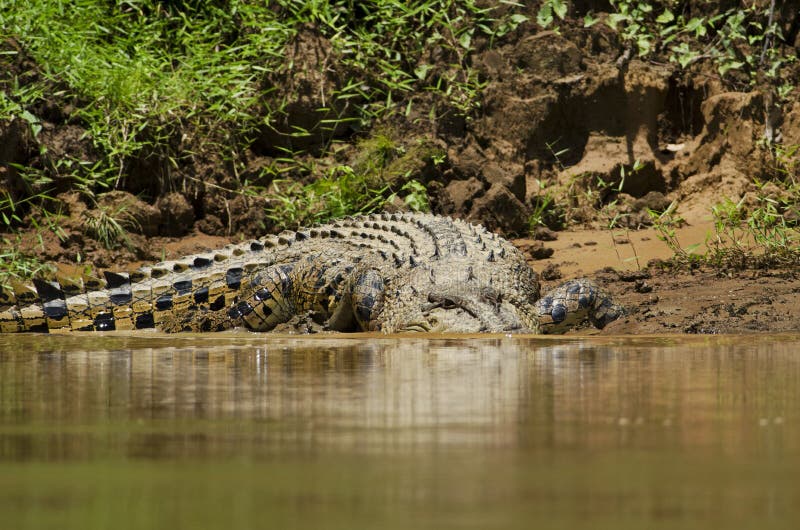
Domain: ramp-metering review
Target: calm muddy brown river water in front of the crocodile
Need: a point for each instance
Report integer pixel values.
(244, 431)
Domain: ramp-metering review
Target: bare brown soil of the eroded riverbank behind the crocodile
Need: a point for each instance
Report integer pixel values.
(694, 138)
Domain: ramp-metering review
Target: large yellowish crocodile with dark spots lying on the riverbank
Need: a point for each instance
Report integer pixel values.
(391, 273)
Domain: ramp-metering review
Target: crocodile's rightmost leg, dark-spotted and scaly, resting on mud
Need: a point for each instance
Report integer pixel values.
(573, 302)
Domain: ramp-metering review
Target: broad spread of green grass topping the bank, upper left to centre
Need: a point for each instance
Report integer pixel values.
(143, 74)
